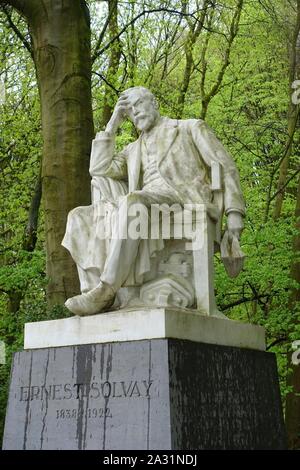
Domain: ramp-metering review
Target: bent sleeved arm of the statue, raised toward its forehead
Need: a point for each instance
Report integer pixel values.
(104, 161)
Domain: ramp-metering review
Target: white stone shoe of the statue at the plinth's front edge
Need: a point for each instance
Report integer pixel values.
(92, 302)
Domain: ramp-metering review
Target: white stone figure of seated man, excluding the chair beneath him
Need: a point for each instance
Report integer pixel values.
(172, 161)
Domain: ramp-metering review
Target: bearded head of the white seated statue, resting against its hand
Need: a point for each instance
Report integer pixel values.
(143, 107)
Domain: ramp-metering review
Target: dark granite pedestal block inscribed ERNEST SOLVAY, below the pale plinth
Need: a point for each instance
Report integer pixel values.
(152, 394)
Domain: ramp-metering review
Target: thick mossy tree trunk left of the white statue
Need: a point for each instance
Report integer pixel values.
(60, 32)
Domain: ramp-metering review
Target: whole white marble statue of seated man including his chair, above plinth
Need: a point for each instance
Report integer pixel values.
(172, 161)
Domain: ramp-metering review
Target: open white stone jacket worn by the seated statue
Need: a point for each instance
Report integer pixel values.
(186, 149)
